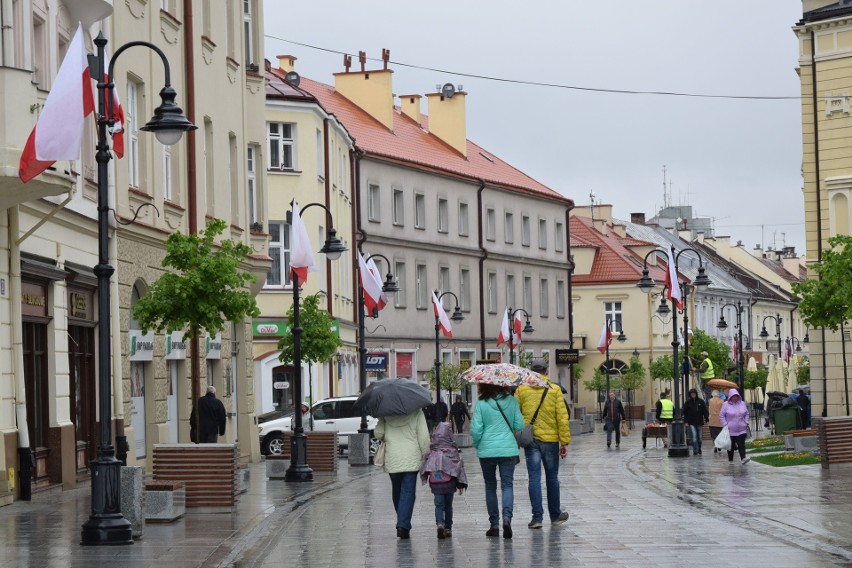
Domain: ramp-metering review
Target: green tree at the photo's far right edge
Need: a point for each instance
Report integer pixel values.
(827, 302)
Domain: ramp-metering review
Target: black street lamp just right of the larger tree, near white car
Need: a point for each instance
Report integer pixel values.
(299, 469)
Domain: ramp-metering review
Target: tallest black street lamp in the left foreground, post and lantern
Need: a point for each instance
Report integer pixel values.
(106, 524)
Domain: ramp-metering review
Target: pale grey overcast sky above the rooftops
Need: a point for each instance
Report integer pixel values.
(737, 161)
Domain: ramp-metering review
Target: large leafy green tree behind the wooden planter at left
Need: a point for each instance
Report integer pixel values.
(206, 289)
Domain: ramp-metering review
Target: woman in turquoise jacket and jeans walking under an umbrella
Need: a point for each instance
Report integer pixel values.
(496, 418)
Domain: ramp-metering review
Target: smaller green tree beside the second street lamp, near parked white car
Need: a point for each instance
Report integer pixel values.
(319, 340)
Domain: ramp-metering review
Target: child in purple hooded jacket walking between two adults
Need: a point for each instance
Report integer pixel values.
(443, 469)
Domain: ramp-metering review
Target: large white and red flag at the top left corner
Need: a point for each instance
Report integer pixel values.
(58, 133)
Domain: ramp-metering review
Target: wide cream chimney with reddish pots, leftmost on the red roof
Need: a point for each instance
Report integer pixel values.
(372, 91)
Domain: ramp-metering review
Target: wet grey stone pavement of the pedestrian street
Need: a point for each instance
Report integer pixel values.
(628, 506)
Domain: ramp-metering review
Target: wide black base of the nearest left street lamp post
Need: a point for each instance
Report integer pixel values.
(106, 525)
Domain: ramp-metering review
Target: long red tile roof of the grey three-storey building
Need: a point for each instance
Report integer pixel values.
(411, 144)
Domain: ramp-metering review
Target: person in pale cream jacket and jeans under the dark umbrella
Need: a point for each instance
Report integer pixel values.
(406, 440)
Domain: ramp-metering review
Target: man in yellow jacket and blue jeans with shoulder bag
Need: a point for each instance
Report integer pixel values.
(552, 436)
